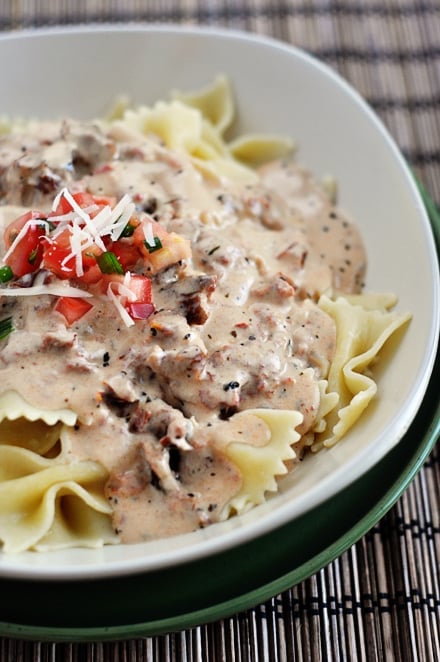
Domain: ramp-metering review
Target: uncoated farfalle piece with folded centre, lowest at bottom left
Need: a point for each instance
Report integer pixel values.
(51, 504)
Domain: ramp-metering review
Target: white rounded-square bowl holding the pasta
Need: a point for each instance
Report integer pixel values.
(279, 89)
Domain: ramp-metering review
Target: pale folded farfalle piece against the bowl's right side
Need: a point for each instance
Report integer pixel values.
(363, 327)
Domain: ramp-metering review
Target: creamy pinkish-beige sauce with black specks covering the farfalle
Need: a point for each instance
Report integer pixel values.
(234, 328)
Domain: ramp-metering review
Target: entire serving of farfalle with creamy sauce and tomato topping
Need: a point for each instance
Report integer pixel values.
(183, 321)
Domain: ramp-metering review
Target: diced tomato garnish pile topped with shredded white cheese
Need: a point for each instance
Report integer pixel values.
(98, 244)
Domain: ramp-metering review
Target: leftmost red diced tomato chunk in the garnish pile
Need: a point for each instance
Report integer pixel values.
(27, 254)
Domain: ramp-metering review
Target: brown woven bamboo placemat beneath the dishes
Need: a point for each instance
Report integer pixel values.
(380, 600)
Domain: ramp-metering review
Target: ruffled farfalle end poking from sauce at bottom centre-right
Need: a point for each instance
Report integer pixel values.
(261, 465)
